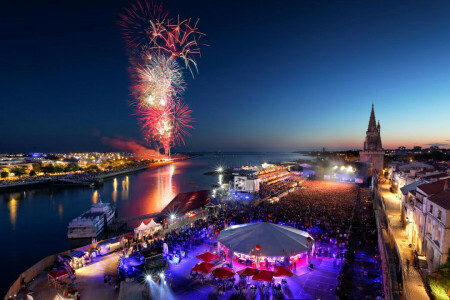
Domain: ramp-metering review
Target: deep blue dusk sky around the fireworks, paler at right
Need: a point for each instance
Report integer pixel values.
(278, 75)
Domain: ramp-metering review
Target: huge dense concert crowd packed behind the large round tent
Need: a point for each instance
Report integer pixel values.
(326, 210)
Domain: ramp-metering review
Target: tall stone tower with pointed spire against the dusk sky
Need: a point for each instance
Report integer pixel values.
(373, 151)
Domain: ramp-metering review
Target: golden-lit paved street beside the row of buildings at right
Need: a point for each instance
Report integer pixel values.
(415, 287)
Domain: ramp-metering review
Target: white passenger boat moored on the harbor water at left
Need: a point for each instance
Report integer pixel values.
(91, 223)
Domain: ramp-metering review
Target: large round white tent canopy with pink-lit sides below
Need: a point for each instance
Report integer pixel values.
(274, 240)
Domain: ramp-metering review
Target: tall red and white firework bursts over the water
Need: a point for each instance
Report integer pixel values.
(155, 43)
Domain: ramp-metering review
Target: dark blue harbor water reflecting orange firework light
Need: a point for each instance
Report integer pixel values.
(33, 222)
